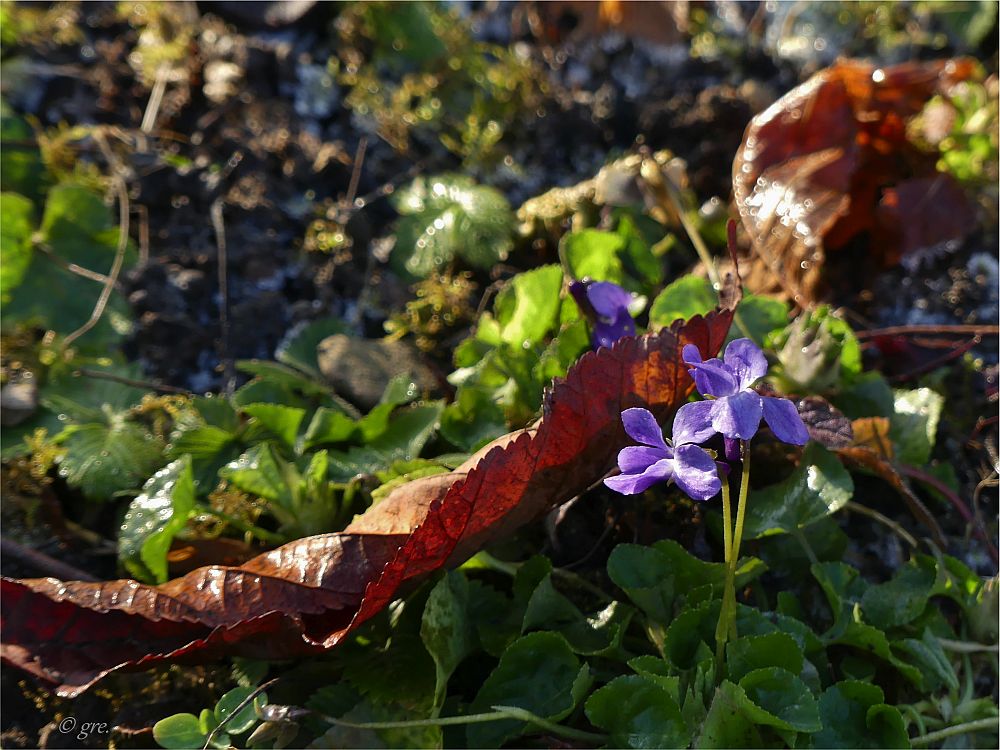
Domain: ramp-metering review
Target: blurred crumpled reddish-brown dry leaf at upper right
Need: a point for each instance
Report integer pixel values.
(816, 165)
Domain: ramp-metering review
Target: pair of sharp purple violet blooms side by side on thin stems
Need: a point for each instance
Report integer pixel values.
(732, 408)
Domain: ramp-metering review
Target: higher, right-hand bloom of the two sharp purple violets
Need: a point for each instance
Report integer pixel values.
(734, 409)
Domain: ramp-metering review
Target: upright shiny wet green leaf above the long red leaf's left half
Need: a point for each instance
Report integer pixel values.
(154, 518)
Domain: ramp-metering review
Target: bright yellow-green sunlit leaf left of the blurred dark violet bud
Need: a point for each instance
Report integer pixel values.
(528, 307)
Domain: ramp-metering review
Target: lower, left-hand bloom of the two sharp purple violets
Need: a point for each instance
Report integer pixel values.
(689, 466)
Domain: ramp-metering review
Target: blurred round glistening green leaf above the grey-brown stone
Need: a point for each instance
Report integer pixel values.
(447, 216)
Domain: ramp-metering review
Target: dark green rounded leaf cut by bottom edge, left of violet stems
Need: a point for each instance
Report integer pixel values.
(637, 712)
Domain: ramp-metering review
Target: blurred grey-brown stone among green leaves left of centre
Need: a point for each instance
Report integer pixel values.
(360, 369)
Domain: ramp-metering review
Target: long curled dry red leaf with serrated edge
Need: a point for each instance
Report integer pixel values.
(308, 595)
